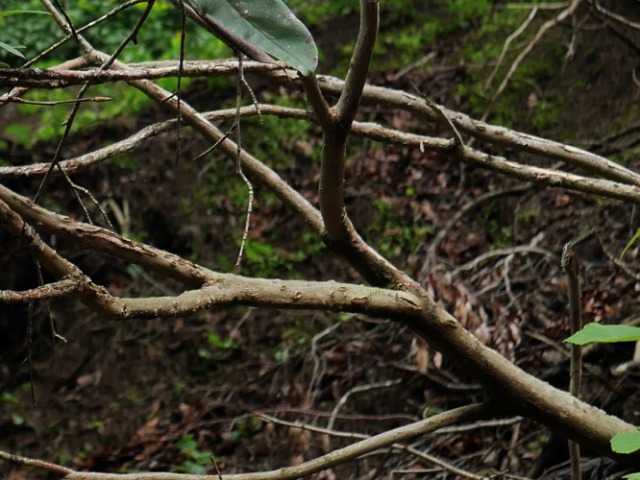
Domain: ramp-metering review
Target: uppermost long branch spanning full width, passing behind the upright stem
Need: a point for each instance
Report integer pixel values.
(383, 96)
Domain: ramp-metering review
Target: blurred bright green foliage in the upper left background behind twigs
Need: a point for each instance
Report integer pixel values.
(159, 39)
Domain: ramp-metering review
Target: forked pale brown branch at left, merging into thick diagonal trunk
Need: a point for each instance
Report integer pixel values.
(217, 289)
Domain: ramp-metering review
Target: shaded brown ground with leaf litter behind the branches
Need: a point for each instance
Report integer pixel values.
(166, 394)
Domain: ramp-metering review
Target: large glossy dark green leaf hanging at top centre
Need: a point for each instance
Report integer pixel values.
(266, 24)
